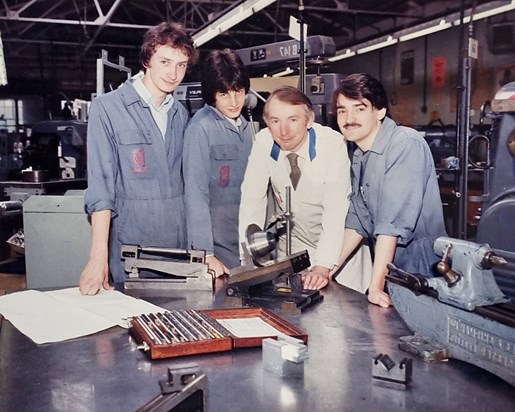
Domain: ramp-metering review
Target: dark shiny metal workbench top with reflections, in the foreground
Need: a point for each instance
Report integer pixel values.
(105, 372)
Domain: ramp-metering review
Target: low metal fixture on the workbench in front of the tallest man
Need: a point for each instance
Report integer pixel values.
(169, 268)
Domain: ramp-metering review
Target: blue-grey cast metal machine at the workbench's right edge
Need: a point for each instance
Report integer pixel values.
(464, 311)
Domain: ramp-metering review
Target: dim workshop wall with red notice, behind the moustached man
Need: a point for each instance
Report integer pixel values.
(424, 88)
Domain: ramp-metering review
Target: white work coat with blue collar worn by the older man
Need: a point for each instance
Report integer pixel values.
(320, 202)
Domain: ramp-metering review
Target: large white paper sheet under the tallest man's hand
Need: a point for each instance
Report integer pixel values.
(65, 314)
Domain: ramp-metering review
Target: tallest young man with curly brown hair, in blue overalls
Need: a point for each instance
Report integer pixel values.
(135, 189)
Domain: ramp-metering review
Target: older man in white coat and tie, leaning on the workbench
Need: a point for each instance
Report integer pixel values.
(310, 158)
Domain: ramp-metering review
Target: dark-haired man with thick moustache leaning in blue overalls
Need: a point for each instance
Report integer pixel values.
(395, 201)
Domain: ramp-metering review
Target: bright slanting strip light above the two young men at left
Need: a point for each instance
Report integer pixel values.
(230, 19)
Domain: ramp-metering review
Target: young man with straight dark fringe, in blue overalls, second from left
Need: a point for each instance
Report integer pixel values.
(217, 145)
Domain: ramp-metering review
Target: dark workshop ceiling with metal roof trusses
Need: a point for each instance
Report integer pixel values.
(45, 39)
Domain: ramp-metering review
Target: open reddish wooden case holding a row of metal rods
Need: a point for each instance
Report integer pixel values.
(189, 332)
